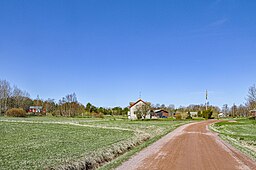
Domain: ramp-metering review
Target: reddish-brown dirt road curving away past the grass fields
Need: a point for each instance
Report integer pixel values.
(191, 147)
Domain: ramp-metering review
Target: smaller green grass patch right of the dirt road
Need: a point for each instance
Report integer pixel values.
(241, 133)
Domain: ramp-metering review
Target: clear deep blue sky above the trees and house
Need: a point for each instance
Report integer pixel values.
(107, 51)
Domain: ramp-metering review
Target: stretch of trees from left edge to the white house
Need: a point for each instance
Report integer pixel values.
(13, 97)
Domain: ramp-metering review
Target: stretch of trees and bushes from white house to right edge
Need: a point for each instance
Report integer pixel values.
(242, 110)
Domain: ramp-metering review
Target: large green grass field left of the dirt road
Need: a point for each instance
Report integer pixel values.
(45, 142)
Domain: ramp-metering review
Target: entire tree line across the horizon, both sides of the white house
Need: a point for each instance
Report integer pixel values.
(14, 97)
